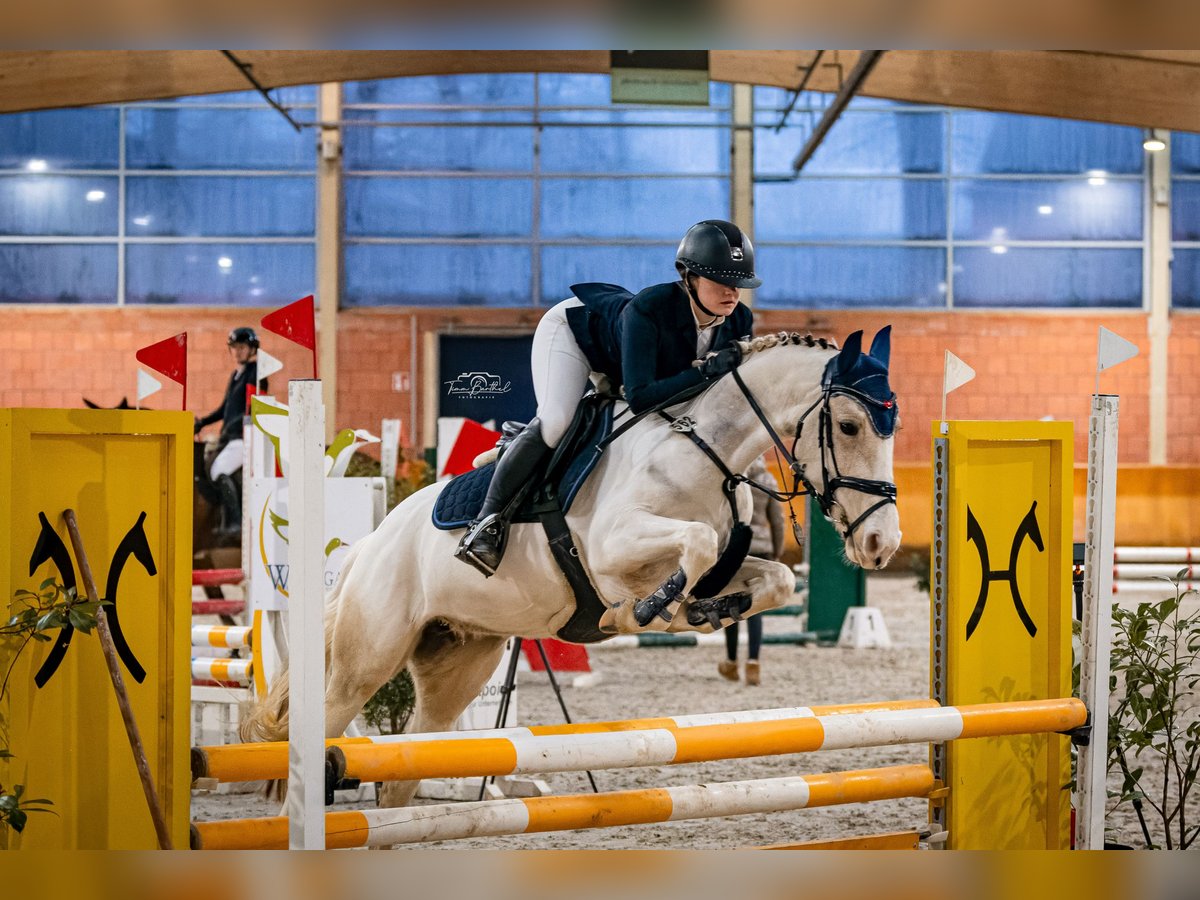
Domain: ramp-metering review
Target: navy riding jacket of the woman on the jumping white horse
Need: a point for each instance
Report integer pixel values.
(647, 343)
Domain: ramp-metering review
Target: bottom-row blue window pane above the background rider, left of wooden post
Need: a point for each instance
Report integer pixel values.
(256, 275)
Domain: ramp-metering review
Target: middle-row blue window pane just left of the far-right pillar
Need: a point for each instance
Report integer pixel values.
(1048, 211)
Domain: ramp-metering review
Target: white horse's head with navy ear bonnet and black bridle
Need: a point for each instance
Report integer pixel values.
(844, 424)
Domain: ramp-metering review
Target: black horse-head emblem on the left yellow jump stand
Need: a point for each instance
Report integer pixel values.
(51, 548)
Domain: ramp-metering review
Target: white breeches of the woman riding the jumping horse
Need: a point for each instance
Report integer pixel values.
(561, 373)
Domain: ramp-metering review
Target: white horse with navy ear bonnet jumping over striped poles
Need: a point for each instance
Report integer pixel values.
(651, 520)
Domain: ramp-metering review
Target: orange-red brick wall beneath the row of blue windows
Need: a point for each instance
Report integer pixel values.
(1029, 365)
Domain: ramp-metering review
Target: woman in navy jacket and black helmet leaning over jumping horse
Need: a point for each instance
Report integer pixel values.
(665, 340)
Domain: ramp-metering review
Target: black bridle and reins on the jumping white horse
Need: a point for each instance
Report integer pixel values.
(831, 475)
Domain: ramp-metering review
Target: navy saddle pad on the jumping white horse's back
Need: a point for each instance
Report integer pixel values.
(573, 463)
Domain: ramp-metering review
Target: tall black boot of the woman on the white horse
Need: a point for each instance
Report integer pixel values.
(483, 547)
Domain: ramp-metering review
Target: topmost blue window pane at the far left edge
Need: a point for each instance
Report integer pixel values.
(63, 139)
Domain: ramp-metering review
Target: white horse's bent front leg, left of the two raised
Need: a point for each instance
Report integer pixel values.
(651, 562)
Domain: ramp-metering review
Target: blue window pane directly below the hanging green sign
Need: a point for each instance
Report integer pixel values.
(637, 151)
